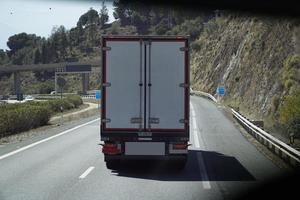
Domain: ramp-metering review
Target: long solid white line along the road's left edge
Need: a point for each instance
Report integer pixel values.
(45, 140)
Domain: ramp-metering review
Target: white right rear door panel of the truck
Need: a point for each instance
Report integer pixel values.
(165, 97)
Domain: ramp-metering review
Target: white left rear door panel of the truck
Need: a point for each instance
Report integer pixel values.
(123, 72)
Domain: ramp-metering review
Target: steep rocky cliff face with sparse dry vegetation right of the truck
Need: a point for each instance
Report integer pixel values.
(248, 55)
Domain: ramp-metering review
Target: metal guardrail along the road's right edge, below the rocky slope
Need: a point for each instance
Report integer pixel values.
(284, 151)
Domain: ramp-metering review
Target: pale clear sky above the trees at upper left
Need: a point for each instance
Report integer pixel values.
(40, 16)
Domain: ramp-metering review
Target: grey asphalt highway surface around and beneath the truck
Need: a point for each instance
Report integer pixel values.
(69, 166)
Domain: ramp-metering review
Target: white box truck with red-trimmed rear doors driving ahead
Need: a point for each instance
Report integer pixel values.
(145, 98)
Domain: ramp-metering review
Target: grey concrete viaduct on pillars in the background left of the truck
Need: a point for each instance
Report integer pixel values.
(82, 67)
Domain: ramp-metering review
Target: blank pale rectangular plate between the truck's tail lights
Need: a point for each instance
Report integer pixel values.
(144, 148)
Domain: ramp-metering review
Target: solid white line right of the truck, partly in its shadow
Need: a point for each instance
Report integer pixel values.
(203, 172)
